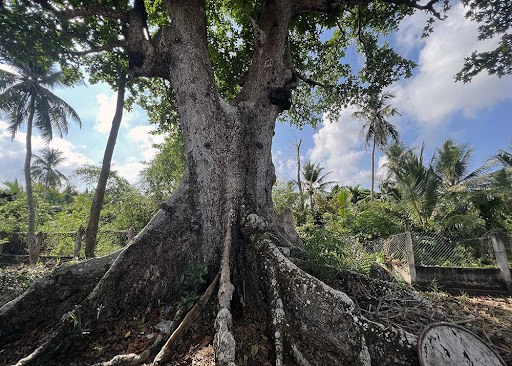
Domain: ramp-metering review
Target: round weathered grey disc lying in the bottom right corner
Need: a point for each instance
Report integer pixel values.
(450, 344)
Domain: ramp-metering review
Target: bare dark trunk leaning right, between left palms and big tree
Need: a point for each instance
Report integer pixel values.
(99, 195)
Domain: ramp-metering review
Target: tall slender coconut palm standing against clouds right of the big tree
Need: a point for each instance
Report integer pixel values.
(376, 129)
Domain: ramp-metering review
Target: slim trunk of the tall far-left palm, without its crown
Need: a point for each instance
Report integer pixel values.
(33, 250)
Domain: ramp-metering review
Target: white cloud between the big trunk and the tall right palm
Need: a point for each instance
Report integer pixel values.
(339, 148)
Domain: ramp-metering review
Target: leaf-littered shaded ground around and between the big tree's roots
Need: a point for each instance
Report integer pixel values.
(490, 317)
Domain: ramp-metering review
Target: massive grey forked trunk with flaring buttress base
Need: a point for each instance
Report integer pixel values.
(221, 215)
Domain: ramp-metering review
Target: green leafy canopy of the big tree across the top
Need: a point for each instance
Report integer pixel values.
(320, 37)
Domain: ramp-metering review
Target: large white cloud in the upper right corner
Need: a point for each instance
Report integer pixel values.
(432, 95)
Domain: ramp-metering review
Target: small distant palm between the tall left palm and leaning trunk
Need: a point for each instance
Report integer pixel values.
(43, 169)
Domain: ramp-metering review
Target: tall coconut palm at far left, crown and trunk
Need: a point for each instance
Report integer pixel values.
(26, 99)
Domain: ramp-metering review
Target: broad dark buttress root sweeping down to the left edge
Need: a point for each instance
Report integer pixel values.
(127, 280)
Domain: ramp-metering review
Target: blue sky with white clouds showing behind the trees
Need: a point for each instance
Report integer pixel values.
(433, 107)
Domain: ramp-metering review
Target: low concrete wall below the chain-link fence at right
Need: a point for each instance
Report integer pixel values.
(458, 277)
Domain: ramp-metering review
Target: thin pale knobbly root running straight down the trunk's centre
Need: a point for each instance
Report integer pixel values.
(224, 341)
